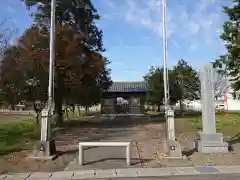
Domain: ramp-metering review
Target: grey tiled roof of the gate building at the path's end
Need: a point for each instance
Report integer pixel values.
(128, 87)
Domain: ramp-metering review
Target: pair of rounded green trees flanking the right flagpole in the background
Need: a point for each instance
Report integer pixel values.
(184, 84)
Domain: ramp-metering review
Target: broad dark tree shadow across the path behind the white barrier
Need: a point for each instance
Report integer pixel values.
(102, 129)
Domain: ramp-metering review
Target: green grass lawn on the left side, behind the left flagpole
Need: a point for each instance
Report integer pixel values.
(17, 134)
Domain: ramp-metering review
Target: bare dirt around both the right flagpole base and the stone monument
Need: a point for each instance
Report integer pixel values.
(151, 139)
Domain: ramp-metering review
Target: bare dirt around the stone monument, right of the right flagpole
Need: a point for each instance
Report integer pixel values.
(187, 136)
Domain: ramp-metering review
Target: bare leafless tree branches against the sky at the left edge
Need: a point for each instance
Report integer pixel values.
(6, 33)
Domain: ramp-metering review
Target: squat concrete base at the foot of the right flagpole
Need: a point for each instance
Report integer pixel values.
(172, 149)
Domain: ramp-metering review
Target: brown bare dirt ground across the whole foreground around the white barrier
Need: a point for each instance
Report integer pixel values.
(149, 137)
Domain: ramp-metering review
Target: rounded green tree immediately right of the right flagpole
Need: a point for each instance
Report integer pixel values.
(187, 81)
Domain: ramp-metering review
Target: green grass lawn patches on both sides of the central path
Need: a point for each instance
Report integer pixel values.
(20, 134)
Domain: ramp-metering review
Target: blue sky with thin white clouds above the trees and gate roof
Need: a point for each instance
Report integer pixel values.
(132, 32)
